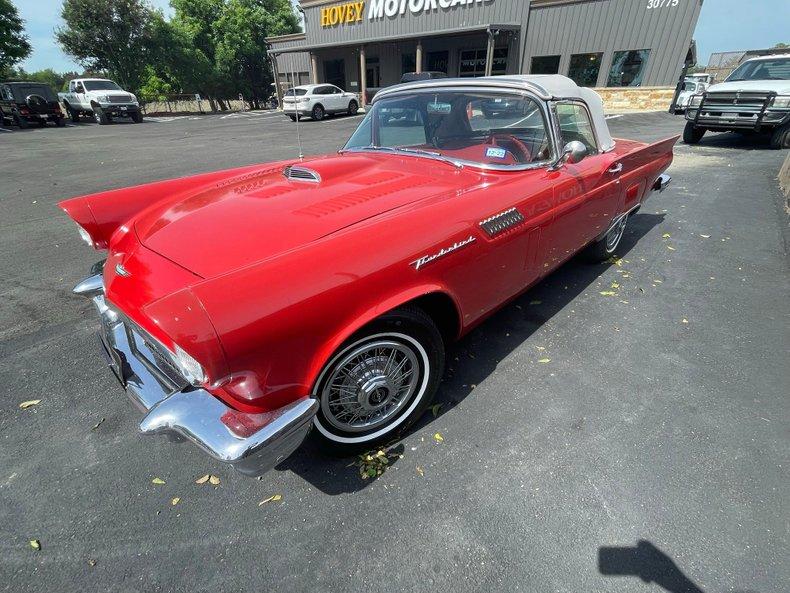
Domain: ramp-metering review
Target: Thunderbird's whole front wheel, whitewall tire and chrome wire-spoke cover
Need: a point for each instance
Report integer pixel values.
(379, 382)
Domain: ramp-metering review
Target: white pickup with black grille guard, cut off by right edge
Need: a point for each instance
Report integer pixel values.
(754, 98)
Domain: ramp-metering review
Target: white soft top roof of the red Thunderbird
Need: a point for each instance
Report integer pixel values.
(546, 86)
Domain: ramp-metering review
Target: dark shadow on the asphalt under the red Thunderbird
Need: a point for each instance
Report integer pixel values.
(473, 358)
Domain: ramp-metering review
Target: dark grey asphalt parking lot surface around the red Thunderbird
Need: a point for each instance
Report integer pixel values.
(650, 454)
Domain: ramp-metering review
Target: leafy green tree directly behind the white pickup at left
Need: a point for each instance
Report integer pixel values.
(109, 35)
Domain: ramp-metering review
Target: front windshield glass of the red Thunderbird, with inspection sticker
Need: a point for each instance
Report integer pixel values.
(477, 127)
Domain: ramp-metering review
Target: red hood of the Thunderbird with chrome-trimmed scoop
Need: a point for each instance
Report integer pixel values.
(244, 219)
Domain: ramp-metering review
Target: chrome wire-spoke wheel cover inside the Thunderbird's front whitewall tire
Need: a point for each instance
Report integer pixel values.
(370, 385)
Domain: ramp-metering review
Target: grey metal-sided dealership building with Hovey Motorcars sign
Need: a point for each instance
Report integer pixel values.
(358, 44)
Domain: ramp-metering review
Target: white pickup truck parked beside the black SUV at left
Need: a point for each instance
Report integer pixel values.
(101, 99)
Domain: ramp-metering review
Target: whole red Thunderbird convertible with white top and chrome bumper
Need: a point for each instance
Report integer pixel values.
(239, 309)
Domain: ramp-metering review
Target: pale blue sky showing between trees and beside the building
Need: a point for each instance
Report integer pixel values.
(724, 25)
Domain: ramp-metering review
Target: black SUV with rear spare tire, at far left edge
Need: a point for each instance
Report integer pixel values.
(25, 102)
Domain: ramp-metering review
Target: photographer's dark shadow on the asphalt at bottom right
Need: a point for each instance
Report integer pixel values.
(649, 563)
